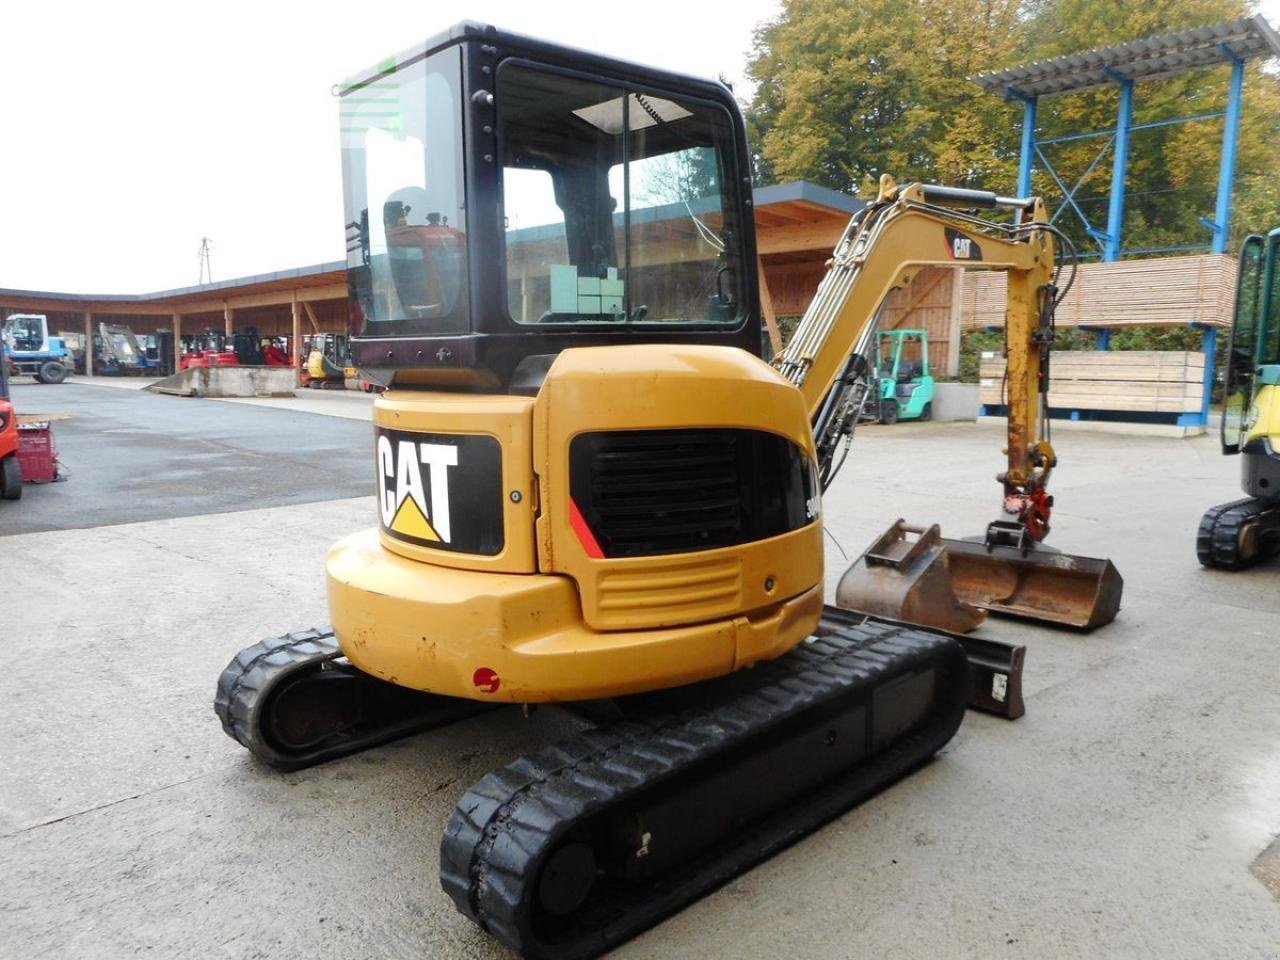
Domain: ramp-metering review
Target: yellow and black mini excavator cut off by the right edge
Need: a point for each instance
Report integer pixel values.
(1246, 532)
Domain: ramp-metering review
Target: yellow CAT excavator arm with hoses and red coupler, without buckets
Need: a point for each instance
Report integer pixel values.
(884, 249)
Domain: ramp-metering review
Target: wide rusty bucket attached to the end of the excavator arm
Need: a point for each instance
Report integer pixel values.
(1043, 584)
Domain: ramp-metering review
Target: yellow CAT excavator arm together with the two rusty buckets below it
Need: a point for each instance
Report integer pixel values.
(912, 573)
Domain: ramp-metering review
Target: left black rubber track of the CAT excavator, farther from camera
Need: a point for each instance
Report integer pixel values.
(246, 685)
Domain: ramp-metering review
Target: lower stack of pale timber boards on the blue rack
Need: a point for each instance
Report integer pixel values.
(1145, 382)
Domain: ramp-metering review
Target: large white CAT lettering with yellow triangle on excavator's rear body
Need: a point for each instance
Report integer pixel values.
(403, 496)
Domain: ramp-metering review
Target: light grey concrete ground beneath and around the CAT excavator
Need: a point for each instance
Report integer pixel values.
(1119, 819)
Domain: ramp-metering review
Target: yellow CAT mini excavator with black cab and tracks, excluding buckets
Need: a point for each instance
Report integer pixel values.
(593, 492)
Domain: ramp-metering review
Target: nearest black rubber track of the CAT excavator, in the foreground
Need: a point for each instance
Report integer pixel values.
(515, 817)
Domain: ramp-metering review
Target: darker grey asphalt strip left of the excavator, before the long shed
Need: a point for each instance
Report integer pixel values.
(138, 456)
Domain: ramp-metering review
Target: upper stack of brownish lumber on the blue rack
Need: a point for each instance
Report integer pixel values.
(1159, 292)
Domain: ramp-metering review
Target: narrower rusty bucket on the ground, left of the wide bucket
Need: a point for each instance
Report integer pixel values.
(906, 577)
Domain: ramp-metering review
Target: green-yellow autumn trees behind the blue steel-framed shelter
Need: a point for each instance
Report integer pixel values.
(851, 90)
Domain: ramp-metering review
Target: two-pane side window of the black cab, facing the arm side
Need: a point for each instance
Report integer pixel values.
(615, 204)
